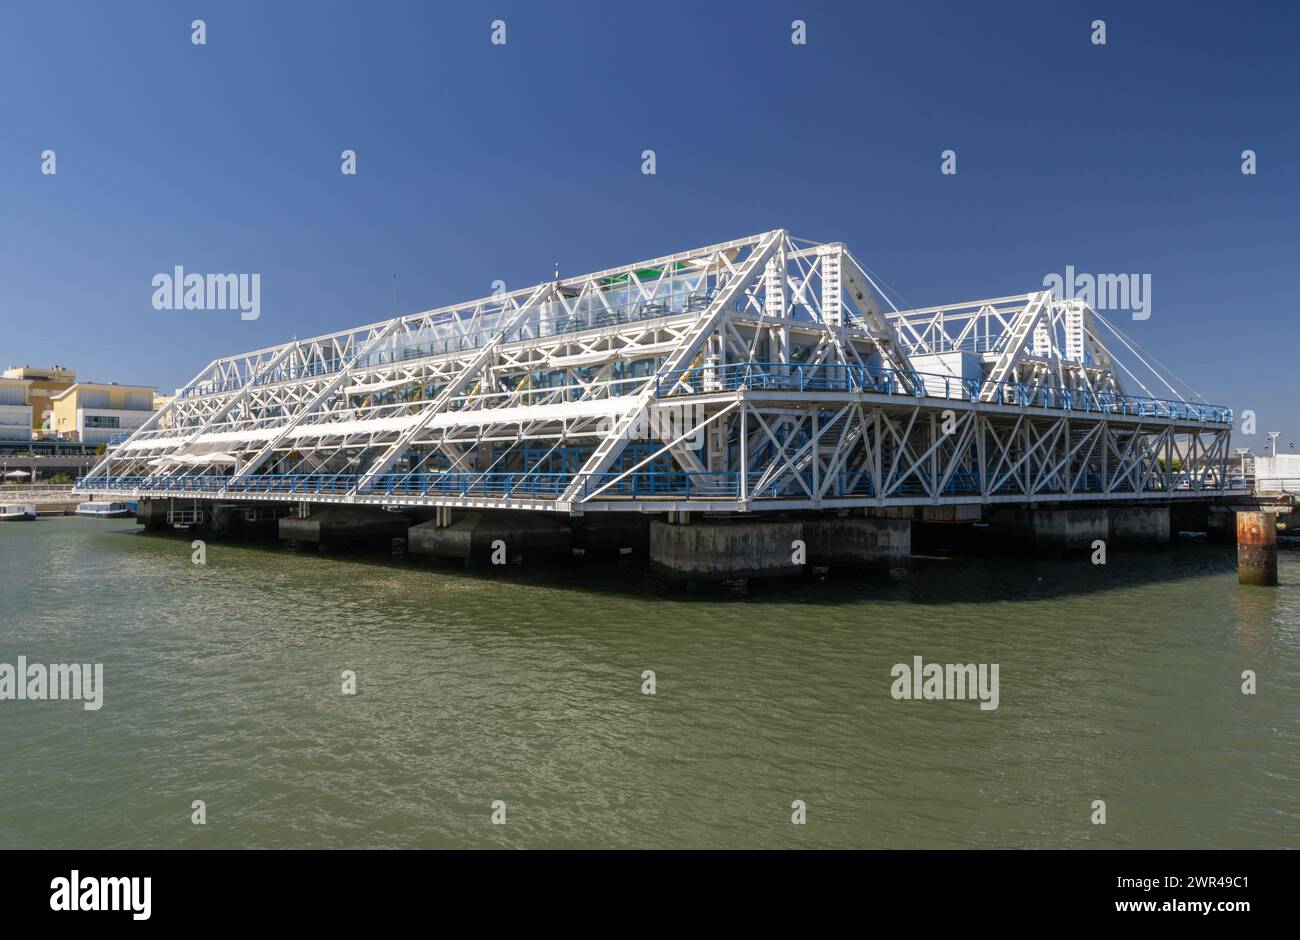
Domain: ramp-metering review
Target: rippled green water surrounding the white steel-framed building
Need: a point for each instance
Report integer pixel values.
(223, 683)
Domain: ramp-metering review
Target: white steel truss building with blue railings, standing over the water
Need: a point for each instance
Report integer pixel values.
(760, 374)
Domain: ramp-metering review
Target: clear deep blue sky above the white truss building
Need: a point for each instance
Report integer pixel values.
(478, 162)
